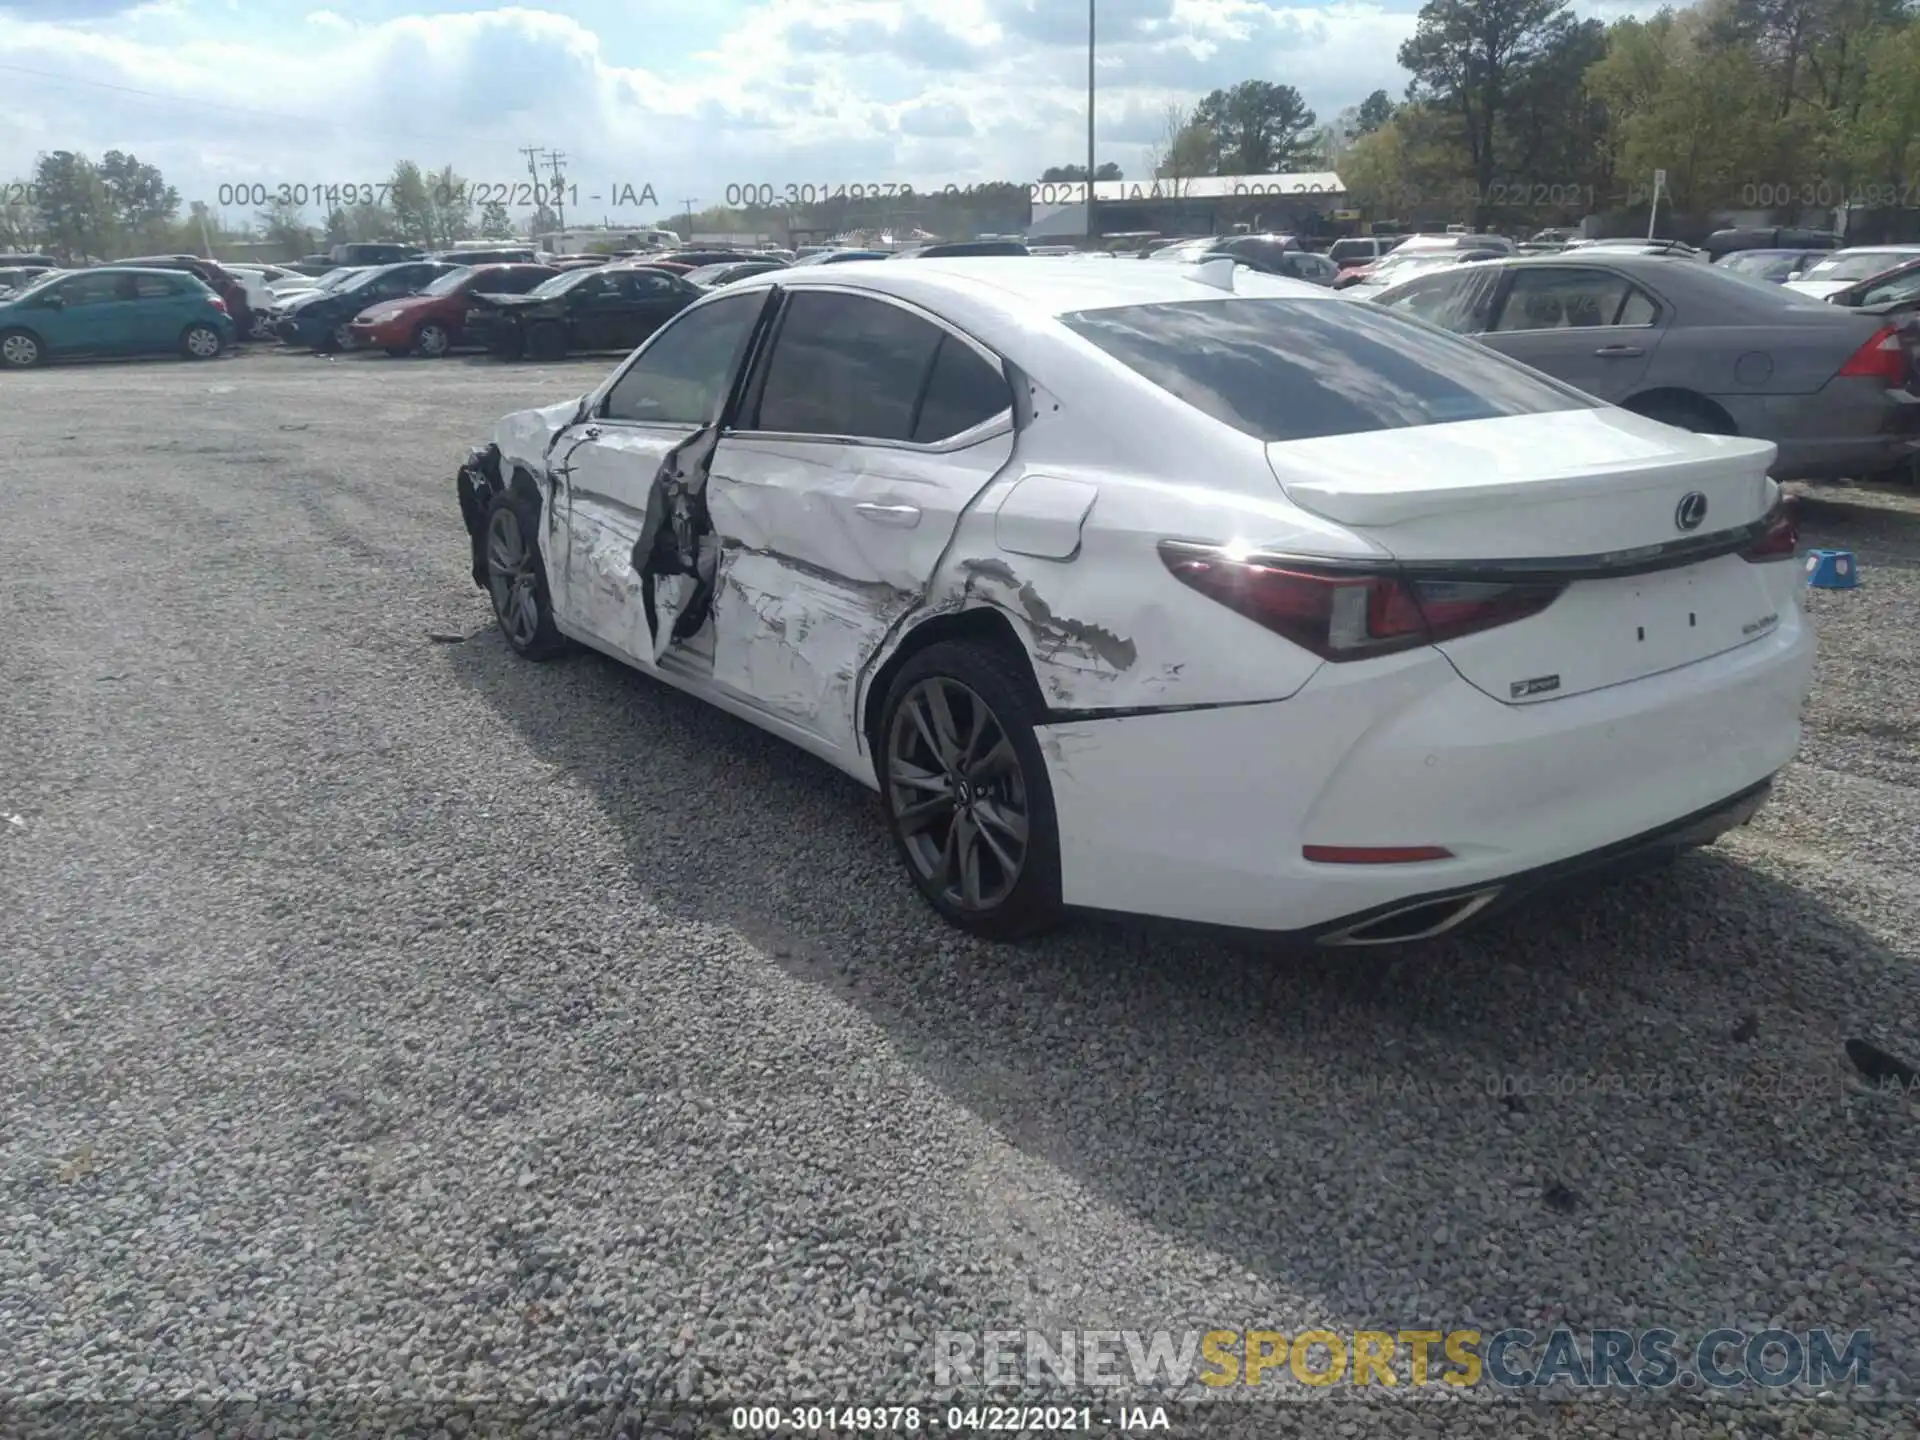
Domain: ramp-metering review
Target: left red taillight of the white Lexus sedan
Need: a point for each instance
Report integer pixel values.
(1347, 615)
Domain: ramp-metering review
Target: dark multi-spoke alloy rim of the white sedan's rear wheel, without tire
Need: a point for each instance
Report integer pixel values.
(959, 794)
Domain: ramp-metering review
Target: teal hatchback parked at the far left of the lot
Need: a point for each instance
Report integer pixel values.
(112, 312)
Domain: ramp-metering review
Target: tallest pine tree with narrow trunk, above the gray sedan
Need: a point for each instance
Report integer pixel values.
(1470, 57)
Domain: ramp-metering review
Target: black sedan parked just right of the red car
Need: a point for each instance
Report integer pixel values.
(612, 308)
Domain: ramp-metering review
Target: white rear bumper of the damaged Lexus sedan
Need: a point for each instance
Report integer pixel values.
(1203, 815)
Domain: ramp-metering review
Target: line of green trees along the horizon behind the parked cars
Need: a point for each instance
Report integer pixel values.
(1518, 112)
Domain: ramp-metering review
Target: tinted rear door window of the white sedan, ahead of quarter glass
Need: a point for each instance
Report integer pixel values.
(848, 366)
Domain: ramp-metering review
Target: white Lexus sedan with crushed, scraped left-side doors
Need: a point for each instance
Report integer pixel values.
(1170, 590)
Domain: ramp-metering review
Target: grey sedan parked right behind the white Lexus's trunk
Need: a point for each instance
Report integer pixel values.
(1694, 347)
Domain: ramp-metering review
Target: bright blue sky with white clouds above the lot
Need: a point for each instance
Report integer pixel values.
(688, 97)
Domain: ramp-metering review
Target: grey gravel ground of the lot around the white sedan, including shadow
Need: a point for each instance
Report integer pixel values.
(391, 1022)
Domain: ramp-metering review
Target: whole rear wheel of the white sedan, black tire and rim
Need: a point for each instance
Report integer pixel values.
(984, 798)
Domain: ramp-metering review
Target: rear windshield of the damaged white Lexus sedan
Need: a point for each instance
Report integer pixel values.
(1299, 370)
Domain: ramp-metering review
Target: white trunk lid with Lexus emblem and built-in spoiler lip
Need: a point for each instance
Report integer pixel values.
(1595, 494)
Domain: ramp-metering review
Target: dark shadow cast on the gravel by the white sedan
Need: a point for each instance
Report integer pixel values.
(1585, 1111)
